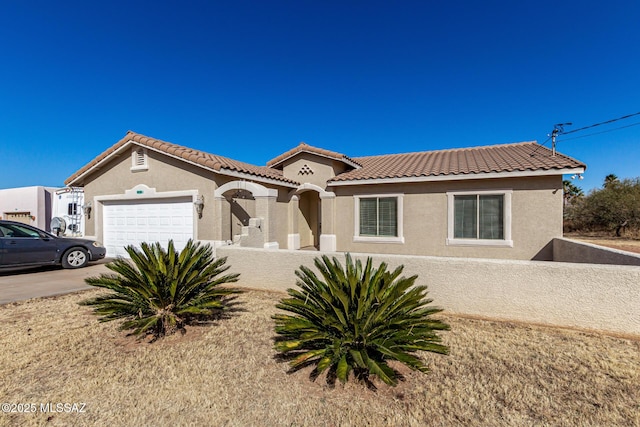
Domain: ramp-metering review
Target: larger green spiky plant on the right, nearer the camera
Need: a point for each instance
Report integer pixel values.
(356, 319)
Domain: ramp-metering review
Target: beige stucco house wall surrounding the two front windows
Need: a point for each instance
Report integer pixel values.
(536, 217)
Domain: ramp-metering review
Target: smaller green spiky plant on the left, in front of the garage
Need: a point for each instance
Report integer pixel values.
(159, 291)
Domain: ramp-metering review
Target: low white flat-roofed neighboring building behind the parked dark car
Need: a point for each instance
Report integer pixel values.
(29, 205)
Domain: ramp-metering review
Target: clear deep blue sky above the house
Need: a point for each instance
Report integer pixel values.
(251, 79)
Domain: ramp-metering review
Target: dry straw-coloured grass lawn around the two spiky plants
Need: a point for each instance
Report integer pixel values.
(498, 374)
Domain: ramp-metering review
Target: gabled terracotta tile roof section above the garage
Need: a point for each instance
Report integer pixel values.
(211, 161)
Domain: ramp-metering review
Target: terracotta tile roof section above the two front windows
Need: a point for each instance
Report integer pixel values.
(523, 156)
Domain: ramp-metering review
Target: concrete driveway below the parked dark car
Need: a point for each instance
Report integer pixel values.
(46, 281)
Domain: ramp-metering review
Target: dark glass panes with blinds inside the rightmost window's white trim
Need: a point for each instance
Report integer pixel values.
(479, 217)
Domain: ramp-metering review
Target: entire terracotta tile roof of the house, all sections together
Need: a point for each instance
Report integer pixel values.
(523, 156)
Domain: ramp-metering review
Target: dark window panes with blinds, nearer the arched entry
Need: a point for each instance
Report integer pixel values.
(379, 216)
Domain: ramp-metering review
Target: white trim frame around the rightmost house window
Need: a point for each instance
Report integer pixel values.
(507, 242)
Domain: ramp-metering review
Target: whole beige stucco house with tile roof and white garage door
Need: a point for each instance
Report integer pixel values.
(501, 201)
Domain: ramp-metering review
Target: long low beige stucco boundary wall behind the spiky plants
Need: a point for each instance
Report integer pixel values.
(600, 297)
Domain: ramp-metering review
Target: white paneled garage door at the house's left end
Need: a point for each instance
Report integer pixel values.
(157, 220)
